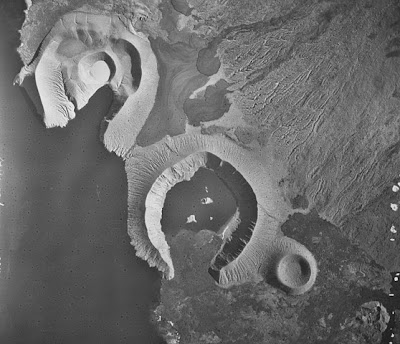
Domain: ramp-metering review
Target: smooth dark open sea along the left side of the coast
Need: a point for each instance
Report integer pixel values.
(68, 273)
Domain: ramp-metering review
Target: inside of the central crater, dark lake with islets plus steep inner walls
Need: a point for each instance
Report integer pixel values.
(213, 196)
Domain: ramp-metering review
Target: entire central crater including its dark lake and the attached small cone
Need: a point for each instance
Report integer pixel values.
(198, 182)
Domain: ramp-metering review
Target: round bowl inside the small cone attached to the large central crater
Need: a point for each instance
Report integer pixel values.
(293, 271)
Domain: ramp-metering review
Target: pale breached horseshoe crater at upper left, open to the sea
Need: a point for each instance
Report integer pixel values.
(82, 53)
